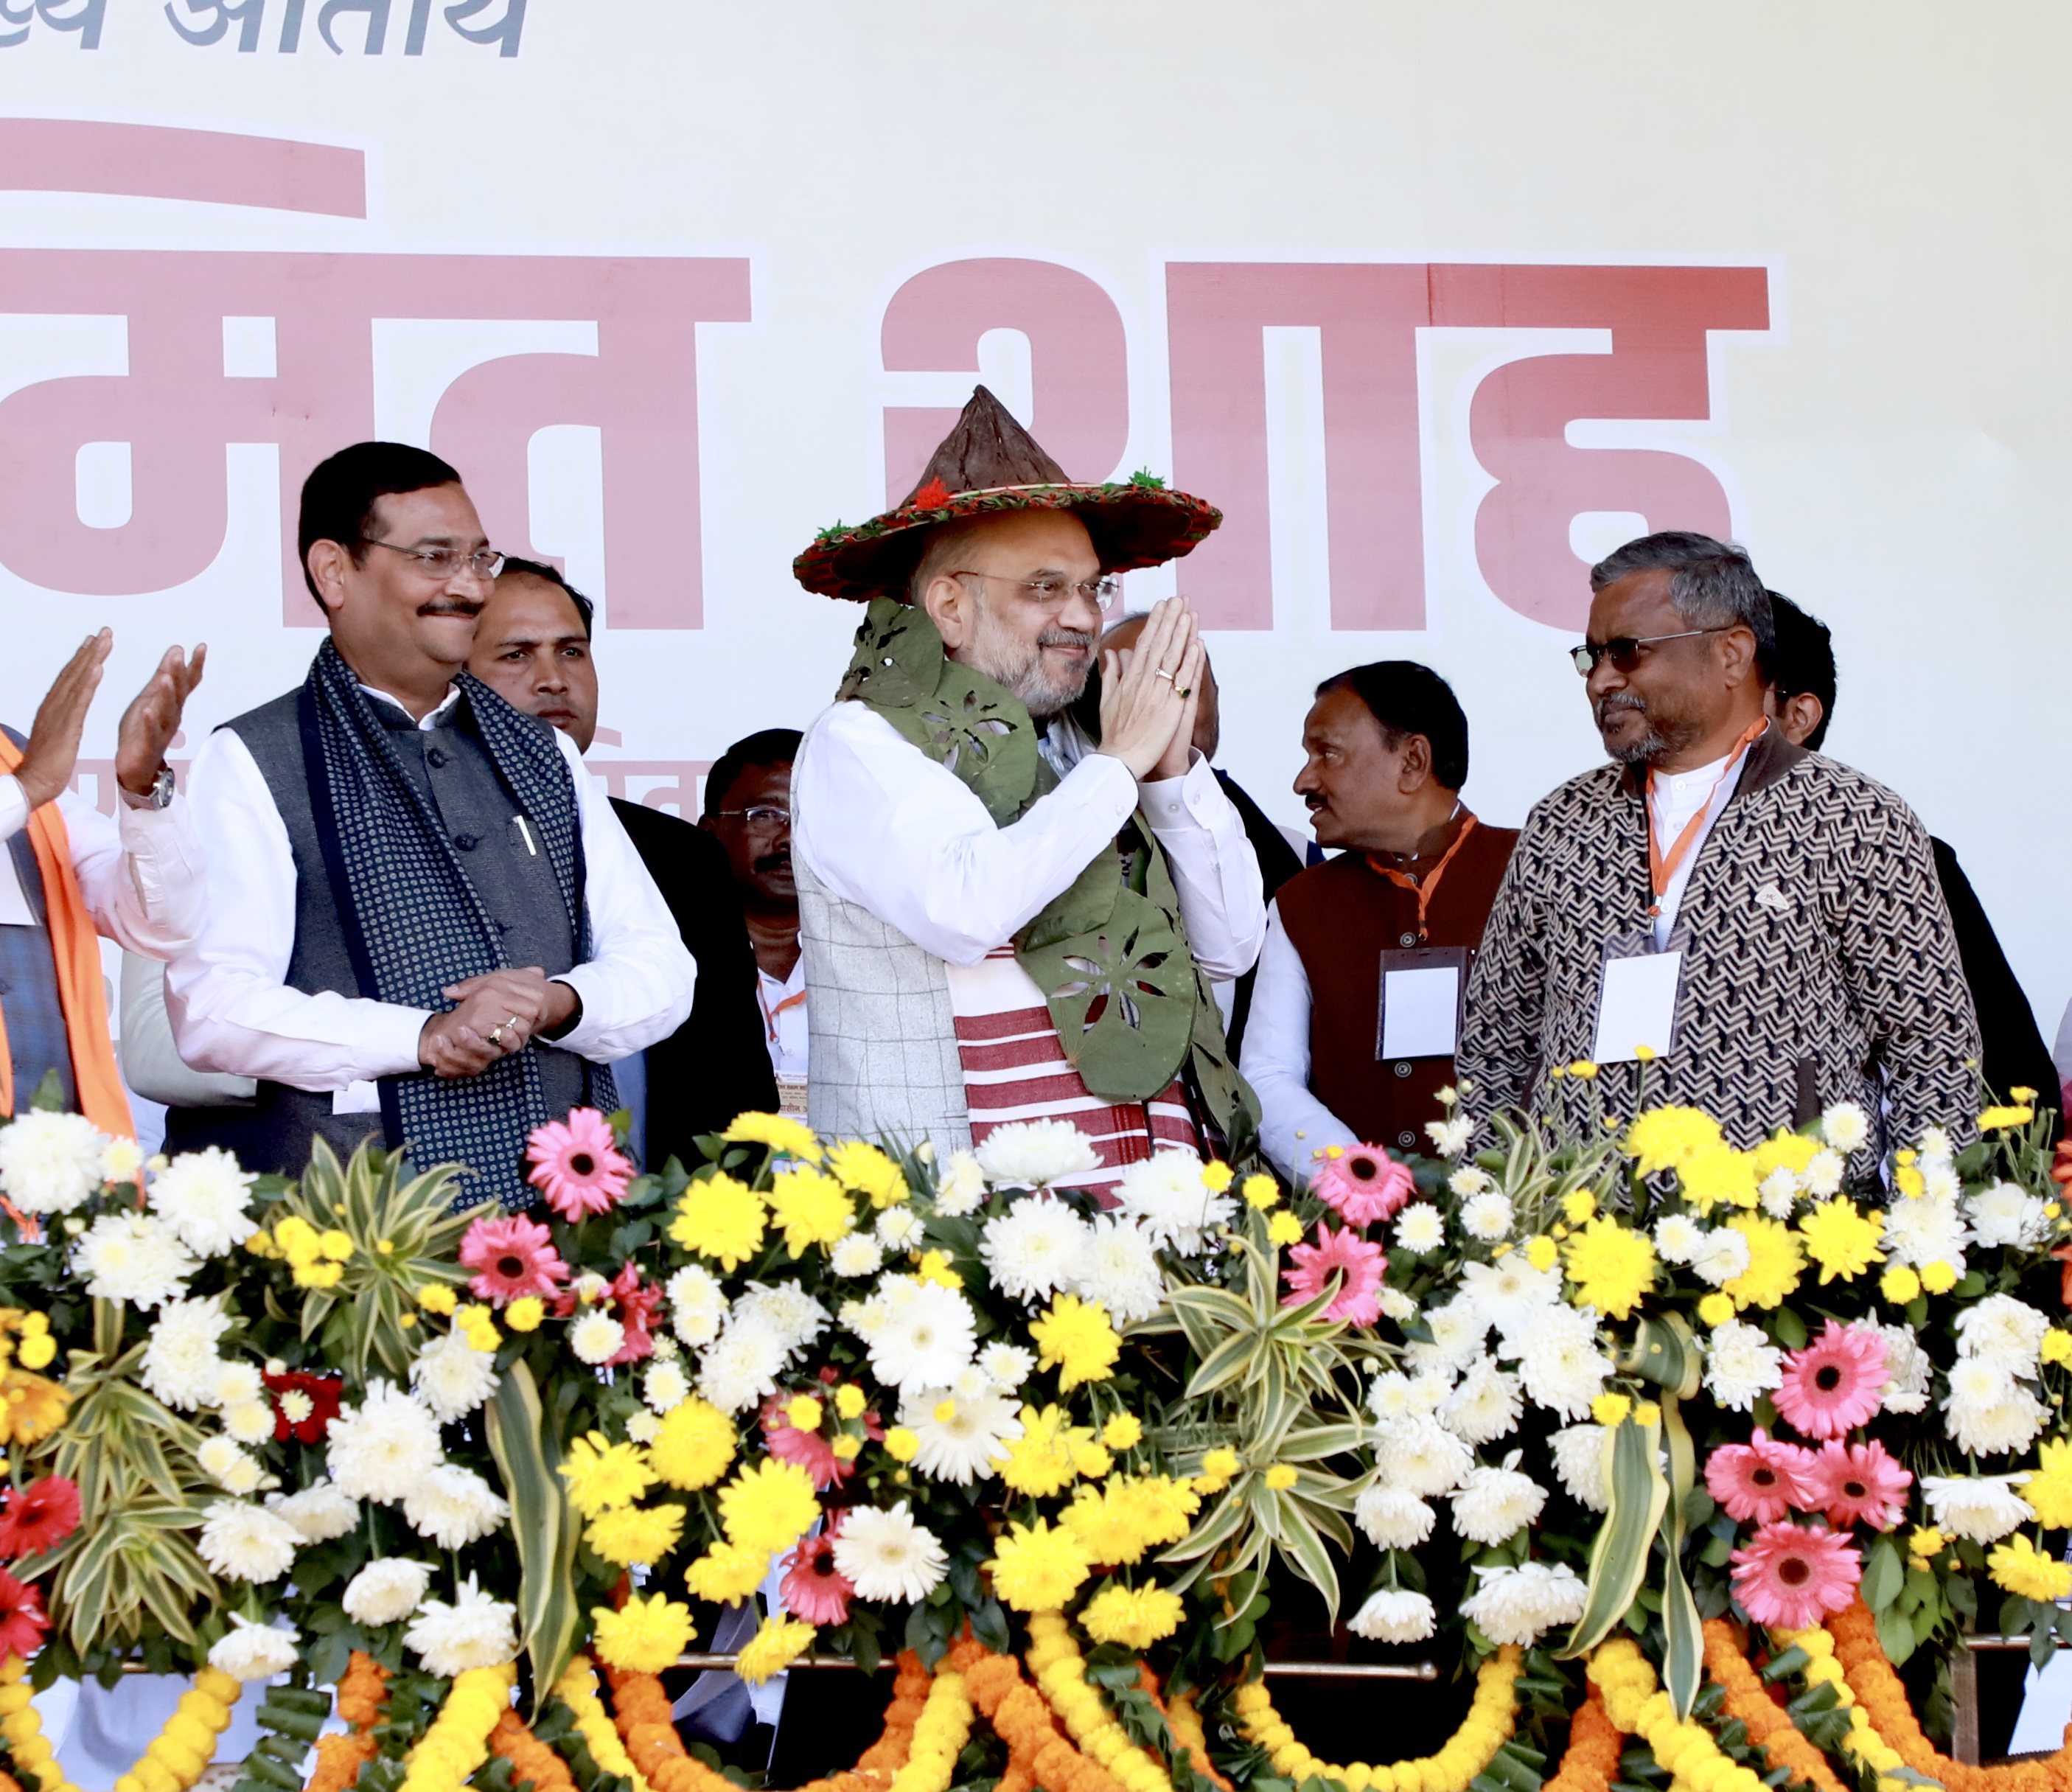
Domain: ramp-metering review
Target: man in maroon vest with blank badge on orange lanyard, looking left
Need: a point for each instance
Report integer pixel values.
(1364, 971)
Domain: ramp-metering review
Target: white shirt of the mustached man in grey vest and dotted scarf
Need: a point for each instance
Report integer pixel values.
(235, 1012)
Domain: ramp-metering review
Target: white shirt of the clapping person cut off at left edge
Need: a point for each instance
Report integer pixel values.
(140, 871)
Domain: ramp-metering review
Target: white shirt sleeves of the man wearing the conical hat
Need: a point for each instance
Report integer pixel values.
(888, 828)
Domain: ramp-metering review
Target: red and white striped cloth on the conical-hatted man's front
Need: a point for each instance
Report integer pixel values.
(1016, 1070)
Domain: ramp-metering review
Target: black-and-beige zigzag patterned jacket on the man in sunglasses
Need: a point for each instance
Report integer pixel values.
(1820, 960)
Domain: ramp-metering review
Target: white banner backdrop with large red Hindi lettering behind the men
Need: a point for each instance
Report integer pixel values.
(1437, 301)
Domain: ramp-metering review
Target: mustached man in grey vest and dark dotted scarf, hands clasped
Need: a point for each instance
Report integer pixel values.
(426, 921)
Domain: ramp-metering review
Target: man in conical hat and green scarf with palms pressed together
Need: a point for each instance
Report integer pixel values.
(1002, 919)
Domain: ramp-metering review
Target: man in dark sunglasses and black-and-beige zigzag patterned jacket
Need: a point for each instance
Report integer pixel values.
(1717, 919)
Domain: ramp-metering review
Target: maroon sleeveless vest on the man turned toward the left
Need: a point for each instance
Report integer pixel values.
(1342, 917)
